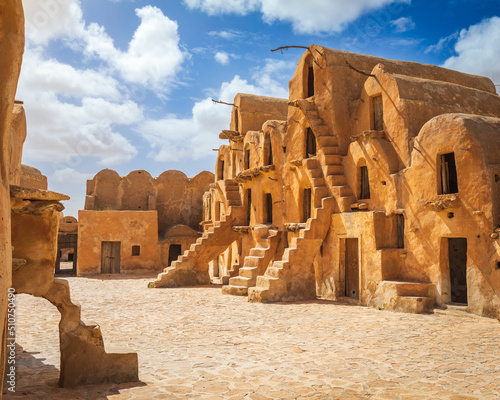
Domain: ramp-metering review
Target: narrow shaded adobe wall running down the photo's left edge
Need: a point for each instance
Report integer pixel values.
(11, 50)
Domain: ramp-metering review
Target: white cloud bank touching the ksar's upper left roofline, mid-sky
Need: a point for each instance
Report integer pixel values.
(174, 139)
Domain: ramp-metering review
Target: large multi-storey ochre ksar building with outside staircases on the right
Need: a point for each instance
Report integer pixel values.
(377, 180)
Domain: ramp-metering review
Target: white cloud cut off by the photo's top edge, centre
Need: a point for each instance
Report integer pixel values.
(313, 16)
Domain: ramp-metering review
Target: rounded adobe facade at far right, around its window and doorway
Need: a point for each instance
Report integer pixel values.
(472, 213)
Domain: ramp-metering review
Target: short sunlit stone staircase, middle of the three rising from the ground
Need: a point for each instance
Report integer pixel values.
(254, 264)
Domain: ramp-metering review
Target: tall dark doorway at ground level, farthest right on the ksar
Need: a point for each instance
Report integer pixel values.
(457, 254)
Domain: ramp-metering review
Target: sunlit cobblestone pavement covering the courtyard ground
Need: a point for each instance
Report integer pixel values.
(195, 343)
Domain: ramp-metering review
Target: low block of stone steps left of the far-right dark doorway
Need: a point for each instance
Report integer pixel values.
(409, 297)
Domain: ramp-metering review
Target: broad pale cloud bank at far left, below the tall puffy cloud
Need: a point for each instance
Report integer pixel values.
(65, 132)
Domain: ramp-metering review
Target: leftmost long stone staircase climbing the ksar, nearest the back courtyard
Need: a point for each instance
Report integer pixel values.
(191, 268)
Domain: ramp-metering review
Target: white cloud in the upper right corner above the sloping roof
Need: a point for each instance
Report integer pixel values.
(477, 50)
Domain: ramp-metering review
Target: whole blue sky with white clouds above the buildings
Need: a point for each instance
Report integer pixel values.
(128, 84)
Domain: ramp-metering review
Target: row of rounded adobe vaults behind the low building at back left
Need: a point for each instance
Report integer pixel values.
(177, 198)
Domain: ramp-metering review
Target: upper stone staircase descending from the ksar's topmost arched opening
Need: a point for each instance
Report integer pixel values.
(329, 155)
